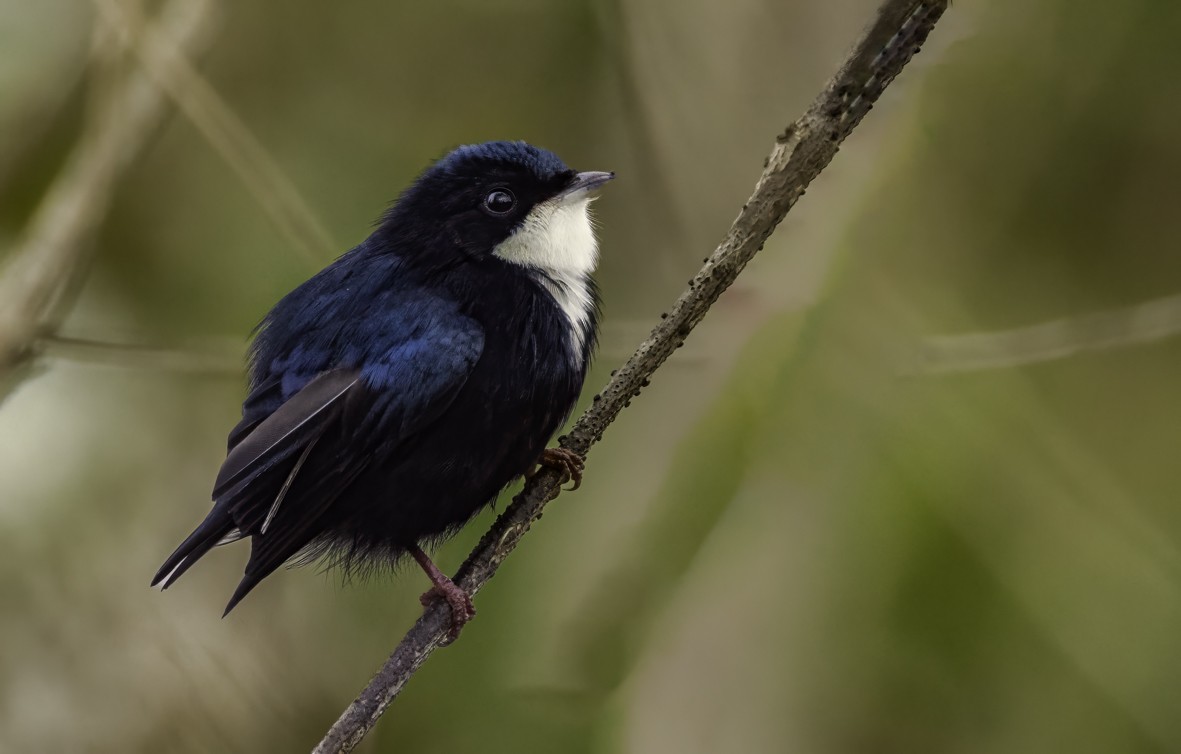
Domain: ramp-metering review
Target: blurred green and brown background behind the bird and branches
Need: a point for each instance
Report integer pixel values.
(817, 532)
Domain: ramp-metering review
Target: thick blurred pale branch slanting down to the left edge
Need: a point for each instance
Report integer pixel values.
(53, 256)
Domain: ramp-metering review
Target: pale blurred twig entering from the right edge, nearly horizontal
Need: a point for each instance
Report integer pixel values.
(1060, 339)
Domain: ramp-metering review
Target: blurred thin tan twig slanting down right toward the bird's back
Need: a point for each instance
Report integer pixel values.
(226, 133)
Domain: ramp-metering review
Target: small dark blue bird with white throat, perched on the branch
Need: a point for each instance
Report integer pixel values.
(396, 393)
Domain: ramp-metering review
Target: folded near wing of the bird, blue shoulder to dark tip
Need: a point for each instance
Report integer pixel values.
(324, 444)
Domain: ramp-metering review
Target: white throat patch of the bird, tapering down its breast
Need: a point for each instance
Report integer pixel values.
(557, 240)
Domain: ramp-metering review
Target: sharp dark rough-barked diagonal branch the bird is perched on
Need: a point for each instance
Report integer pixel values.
(798, 158)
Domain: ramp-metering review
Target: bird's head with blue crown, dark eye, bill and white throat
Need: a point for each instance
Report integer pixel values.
(506, 201)
